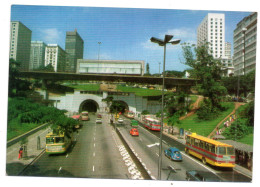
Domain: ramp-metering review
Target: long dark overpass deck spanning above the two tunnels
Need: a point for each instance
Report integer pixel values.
(56, 76)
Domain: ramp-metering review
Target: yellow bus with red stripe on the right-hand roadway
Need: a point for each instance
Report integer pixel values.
(210, 151)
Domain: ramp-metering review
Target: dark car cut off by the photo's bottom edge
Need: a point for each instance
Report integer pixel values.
(196, 175)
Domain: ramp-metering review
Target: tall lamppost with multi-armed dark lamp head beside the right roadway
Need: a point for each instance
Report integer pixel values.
(167, 39)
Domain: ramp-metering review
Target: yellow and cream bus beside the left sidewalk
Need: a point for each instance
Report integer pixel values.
(57, 143)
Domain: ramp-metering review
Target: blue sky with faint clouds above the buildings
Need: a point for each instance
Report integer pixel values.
(124, 33)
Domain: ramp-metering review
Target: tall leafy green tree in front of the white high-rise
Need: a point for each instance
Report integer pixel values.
(208, 71)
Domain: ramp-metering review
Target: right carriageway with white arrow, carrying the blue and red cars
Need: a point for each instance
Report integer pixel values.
(146, 145)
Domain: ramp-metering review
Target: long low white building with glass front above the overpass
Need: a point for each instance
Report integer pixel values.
(111, 67)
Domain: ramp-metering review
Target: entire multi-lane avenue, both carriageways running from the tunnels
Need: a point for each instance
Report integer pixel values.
(97, 152)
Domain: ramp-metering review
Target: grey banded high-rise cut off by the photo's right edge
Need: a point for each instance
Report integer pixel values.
(244, 58)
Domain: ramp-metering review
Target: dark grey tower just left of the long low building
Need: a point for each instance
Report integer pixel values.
(74, 47)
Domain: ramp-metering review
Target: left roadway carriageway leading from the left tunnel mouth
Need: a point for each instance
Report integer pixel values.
(94, 154)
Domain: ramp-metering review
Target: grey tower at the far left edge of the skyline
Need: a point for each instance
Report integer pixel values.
(20, 44)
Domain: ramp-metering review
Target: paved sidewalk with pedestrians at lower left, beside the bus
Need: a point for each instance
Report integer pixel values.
(14, 166)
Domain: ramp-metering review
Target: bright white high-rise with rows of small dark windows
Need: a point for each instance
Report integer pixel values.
(212, 30)
